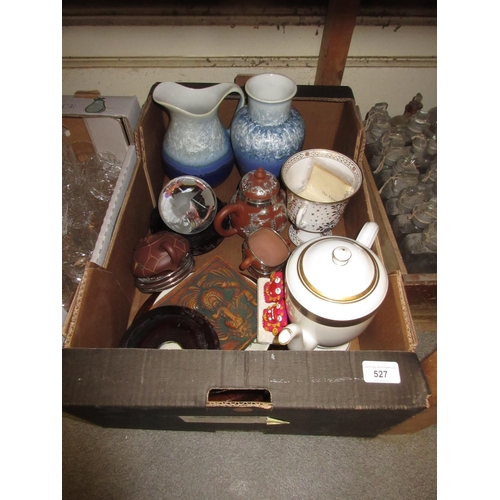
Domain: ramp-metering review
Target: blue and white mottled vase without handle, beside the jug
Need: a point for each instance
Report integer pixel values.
(269, 129)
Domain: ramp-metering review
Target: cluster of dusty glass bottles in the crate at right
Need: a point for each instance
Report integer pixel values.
(403, 162)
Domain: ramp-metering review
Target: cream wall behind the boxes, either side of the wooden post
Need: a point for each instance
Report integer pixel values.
(384, 64)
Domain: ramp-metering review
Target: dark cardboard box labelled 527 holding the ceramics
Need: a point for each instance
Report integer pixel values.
(275, 391)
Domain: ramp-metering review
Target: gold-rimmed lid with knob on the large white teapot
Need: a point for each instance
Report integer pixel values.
(338, 269)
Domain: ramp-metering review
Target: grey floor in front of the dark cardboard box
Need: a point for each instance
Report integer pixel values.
(122, 464)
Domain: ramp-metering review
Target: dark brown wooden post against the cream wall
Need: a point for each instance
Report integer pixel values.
(339, 25)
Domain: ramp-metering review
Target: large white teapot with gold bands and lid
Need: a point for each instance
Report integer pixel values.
(334, 286)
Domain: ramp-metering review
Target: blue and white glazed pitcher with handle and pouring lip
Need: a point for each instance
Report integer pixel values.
(195, 142)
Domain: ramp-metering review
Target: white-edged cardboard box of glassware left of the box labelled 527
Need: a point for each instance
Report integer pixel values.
(108, 130)
